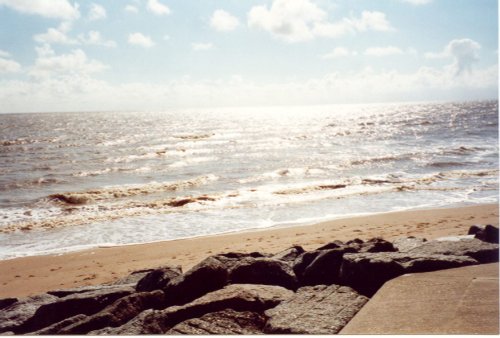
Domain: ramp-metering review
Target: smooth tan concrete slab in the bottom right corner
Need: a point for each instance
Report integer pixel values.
(454, 301)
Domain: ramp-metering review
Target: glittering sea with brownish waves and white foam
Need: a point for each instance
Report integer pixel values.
(76, 180)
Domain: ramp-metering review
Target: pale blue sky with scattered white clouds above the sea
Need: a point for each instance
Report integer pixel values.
(155, 55)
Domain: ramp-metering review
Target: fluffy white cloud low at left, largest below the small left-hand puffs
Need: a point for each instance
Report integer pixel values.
(50, 65)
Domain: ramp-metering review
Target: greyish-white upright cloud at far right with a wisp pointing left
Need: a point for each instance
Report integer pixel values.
(464, 52)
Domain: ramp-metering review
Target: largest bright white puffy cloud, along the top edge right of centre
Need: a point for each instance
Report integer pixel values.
(301, 20)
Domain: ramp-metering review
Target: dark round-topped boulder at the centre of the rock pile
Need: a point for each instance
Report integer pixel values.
(265, 271)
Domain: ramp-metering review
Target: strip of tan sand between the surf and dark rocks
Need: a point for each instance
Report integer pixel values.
(34, 275)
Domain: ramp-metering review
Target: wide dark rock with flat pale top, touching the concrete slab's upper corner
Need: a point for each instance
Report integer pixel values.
(367, 272)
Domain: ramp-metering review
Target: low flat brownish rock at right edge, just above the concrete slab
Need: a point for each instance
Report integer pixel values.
(481, 251)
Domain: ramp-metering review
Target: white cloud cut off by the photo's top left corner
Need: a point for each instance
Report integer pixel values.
(59, 9)
